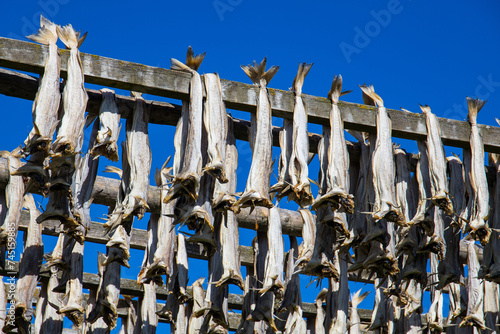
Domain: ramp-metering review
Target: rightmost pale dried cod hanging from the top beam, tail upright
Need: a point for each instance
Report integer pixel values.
(481, 210)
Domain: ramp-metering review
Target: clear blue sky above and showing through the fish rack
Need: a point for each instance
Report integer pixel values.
(427, 52)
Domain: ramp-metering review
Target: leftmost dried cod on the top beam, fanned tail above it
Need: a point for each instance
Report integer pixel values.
(48, 97)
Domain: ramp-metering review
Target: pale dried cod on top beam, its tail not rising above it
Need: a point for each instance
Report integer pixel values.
(216, 125)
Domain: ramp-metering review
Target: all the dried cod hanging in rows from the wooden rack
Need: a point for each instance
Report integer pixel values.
(392, 220)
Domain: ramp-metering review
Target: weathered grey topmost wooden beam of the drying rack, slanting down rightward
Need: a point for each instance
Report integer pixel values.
(26, 56)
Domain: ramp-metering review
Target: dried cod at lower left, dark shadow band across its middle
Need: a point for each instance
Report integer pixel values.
(29, 267)
